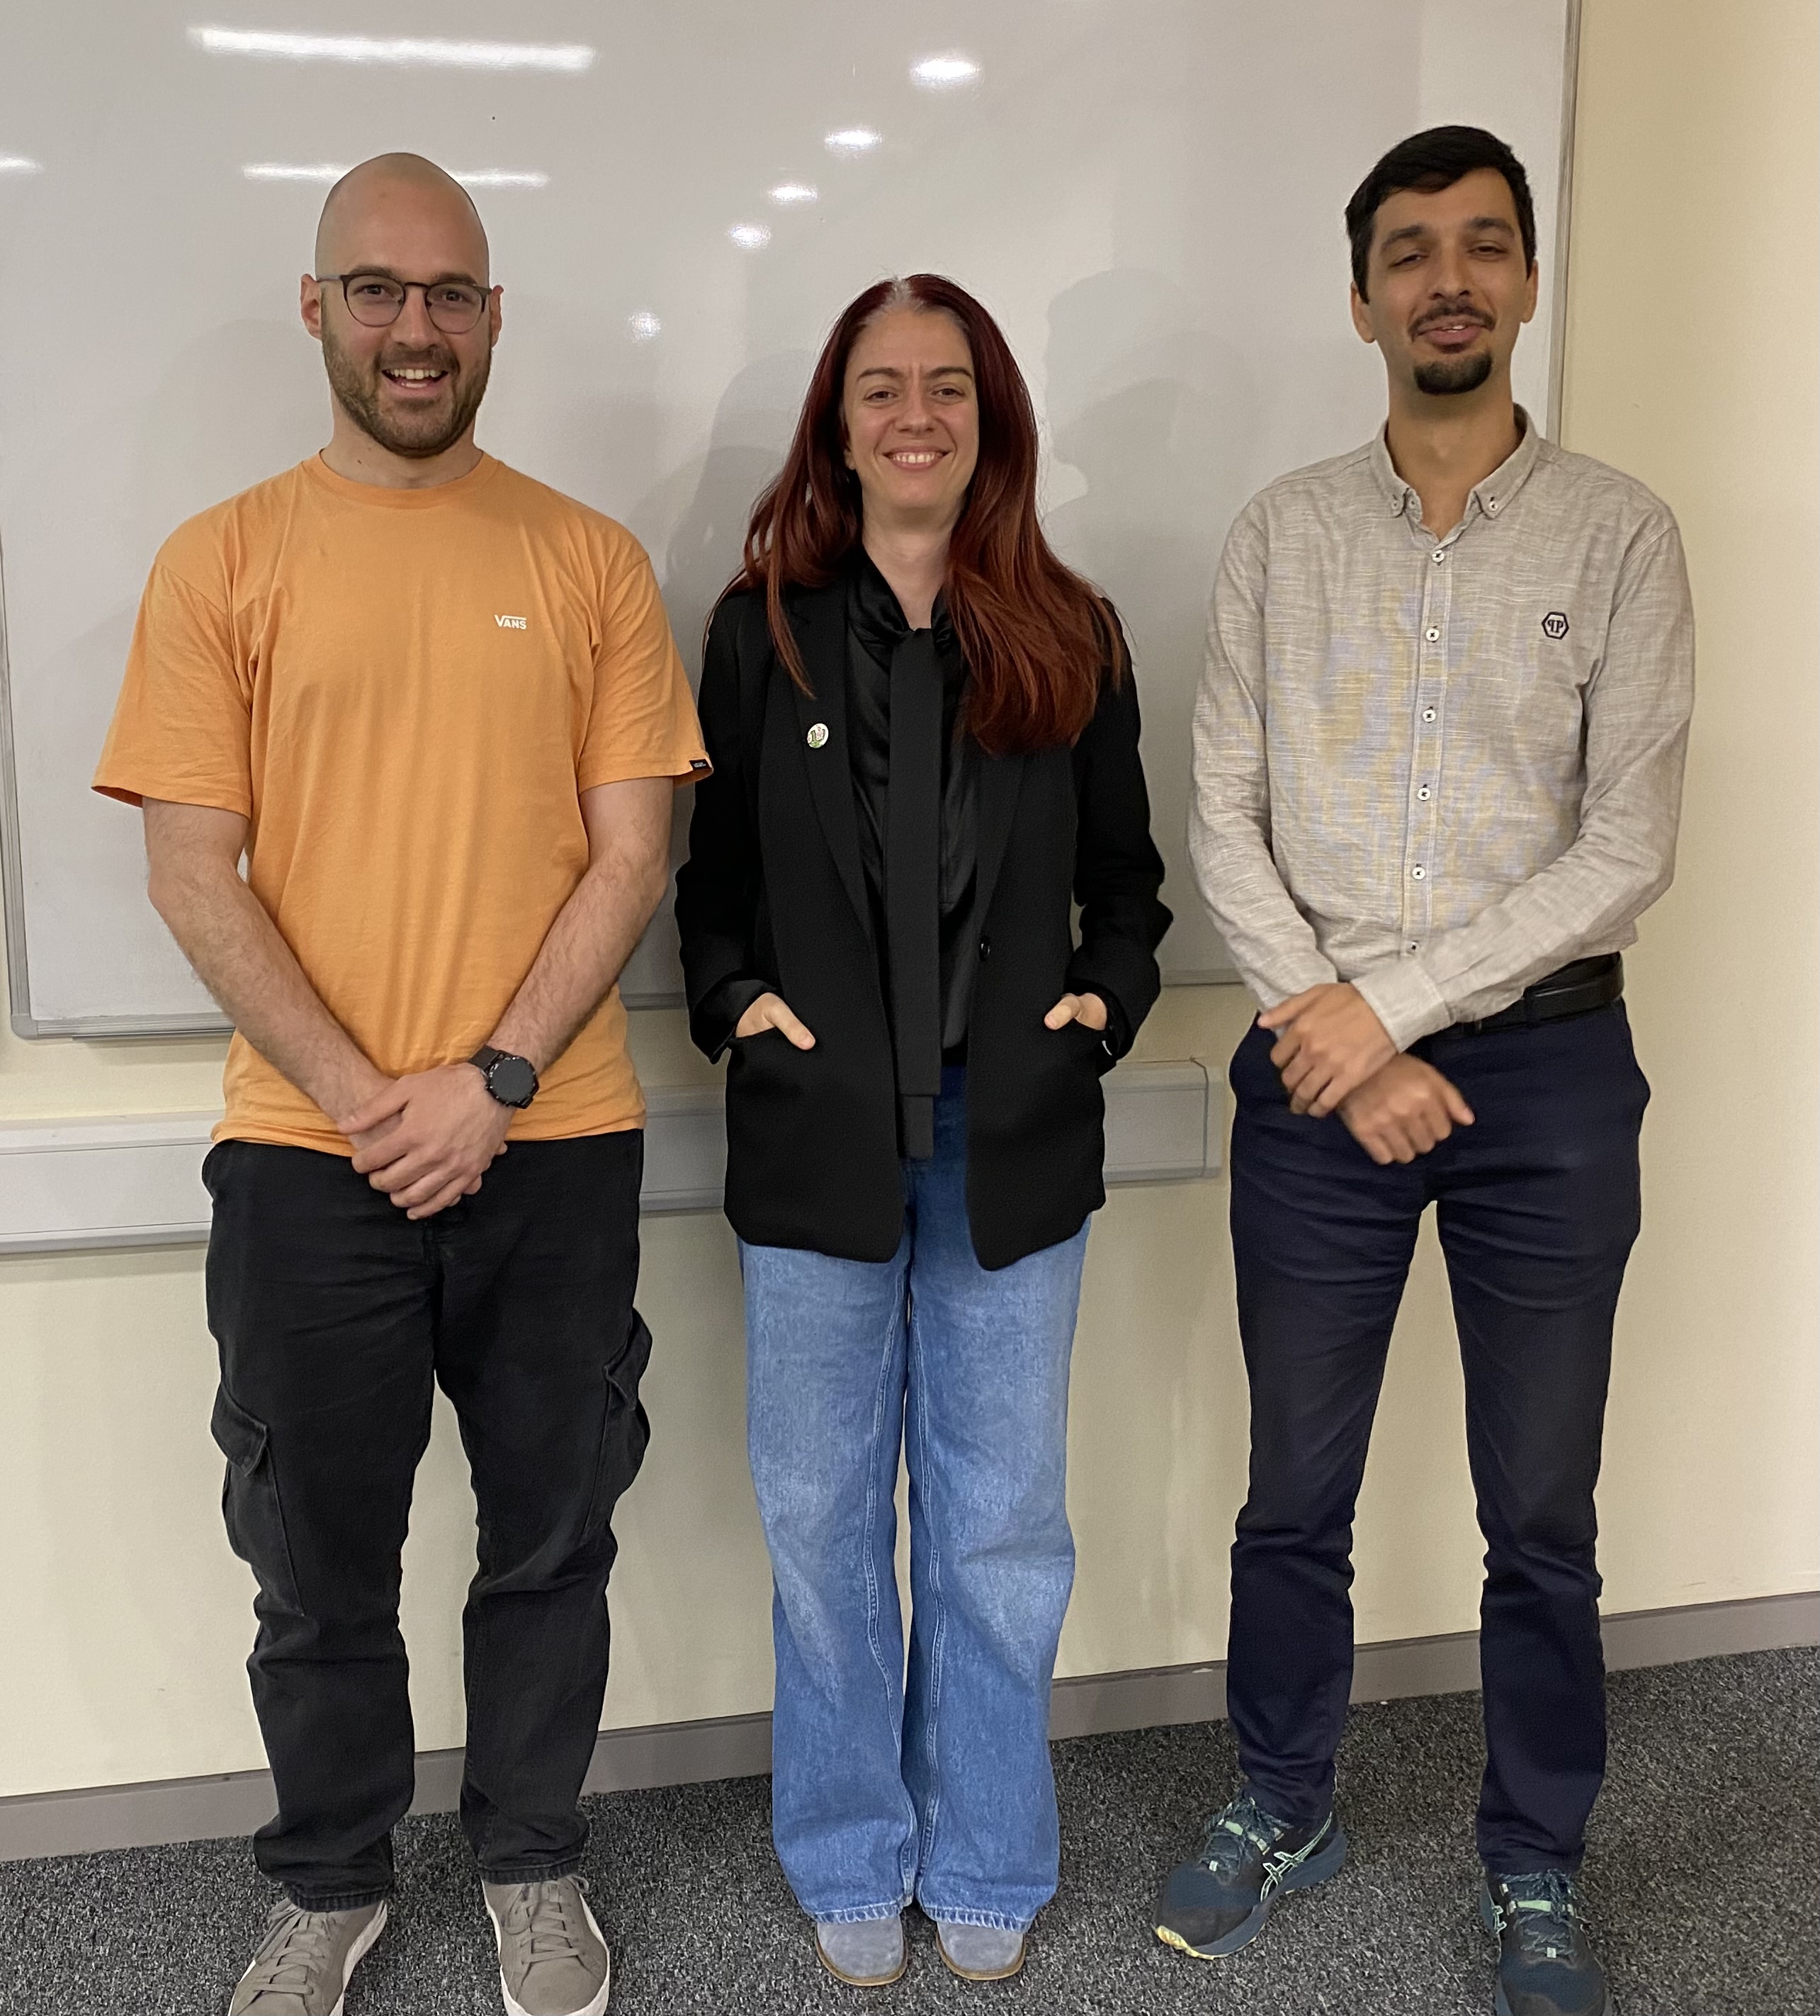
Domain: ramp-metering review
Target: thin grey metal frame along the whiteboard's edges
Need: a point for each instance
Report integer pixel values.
(132, 1029)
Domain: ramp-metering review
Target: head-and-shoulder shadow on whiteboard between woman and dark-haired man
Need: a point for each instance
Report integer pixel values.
(1154, 414)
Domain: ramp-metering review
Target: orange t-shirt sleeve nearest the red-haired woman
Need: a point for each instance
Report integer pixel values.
(642, 721)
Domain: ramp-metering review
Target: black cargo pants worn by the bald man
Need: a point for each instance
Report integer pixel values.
(334, 1315)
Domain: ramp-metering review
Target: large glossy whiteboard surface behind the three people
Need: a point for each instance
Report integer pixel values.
(1146, 193)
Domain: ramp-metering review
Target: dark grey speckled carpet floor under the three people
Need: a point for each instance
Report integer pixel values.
(1702, 1876)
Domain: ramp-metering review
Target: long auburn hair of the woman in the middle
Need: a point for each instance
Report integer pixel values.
(1037, 638)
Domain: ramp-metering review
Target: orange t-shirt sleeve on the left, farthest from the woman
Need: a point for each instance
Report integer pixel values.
(182, 727)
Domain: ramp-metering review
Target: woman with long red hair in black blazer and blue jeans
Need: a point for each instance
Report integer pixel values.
(924, 737)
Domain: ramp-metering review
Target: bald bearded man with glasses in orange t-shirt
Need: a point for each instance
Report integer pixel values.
(438, 711)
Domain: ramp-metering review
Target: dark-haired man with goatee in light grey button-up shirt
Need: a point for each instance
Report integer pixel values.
(1438, 777)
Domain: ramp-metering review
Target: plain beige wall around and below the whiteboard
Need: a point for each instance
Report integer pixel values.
(1692, 364)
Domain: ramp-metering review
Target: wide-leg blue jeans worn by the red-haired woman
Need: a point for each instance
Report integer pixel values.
(934, 1783)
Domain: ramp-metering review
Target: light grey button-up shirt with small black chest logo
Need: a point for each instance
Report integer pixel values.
(1440, 769)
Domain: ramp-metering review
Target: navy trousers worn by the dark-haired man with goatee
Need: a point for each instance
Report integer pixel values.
(1537, 1211)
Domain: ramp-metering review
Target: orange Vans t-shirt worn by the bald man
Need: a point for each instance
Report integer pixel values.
(406, 695)
